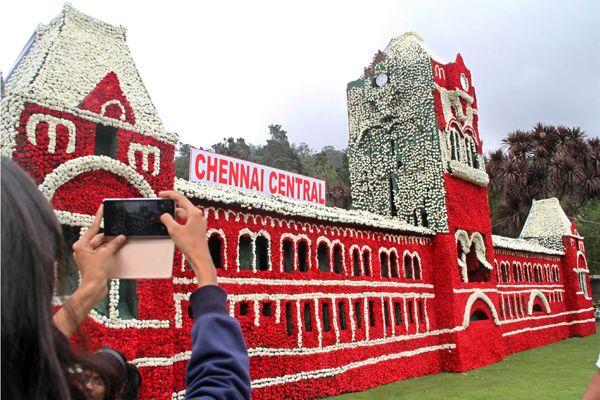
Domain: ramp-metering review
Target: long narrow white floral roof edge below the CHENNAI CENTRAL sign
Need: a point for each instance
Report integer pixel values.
(282, 205)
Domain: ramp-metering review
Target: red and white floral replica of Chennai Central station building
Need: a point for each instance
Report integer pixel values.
(411, 283)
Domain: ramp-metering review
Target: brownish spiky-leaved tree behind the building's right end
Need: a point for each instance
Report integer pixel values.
(547, 161)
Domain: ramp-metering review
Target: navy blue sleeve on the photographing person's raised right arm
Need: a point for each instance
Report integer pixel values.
(219, 366)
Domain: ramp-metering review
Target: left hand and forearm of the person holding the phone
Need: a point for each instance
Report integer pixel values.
(93, 254)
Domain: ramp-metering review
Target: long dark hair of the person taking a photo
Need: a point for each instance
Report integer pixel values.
(37, 359)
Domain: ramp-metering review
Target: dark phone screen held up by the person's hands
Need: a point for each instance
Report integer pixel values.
(136, 217)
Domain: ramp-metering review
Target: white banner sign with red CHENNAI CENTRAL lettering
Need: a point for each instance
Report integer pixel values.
(222, 170)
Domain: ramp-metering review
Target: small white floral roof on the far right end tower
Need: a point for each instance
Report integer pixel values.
(546, 219)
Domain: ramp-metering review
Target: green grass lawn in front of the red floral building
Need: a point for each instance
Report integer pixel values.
(558, 371)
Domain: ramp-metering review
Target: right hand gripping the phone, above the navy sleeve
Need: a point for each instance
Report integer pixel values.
(190, 237)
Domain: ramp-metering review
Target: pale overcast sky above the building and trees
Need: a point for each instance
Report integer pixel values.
(225, 68)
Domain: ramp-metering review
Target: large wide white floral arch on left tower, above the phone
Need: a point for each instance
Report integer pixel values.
(72, 168)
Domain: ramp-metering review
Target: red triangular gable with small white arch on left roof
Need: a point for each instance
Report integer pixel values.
(108, 100)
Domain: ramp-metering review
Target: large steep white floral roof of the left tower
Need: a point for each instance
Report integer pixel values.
(66, 58)
